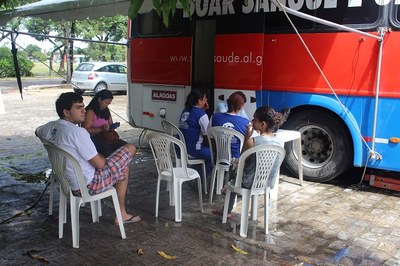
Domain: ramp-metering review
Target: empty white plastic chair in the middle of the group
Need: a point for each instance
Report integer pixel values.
(161, 144)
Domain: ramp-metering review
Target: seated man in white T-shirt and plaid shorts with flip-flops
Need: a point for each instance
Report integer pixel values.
(100, 173)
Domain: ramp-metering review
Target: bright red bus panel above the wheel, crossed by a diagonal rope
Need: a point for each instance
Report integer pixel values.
(349, 62)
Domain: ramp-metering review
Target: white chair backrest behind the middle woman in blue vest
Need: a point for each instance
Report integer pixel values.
(222, 138)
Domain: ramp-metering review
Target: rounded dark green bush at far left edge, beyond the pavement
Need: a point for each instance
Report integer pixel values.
(7, 63)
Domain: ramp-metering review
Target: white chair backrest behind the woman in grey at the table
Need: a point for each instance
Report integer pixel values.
(268, 159)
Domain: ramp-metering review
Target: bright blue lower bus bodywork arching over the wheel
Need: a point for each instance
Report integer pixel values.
(361, 109)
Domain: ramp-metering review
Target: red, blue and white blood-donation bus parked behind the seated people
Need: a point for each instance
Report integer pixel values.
(333, 62)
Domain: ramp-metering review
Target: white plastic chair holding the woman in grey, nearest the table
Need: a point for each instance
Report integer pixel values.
(268, 157)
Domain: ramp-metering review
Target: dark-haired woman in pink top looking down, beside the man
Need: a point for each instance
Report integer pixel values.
(98, 120)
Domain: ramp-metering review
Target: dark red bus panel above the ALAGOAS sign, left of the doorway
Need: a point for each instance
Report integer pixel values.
(161, 60)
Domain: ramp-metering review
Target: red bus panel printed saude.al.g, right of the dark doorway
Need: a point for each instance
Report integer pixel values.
(238, 61)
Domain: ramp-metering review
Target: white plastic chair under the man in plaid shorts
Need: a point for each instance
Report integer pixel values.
(58, 159)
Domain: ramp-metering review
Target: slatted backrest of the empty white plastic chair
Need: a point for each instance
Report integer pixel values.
(161, 145)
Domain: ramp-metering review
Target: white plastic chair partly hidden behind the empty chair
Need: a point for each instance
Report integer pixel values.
(172, 130)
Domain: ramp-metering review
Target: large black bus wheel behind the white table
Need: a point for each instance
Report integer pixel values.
(325, 145)
